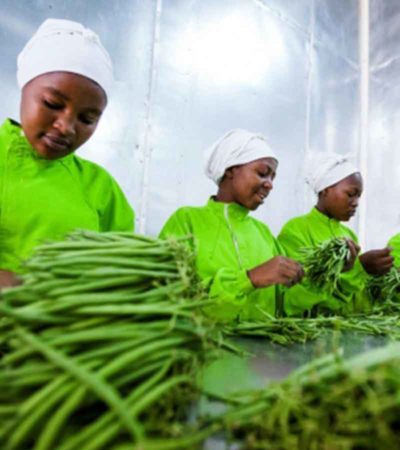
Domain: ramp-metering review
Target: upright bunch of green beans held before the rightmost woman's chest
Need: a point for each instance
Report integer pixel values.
(324, 263)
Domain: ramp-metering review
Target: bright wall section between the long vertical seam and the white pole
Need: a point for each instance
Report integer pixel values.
(287, 69)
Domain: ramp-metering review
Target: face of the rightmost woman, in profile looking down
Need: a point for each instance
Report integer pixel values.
(340, 201)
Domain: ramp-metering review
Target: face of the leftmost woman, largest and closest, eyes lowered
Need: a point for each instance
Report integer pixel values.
(60, 111)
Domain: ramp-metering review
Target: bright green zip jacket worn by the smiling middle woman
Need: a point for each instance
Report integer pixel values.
(228, 243)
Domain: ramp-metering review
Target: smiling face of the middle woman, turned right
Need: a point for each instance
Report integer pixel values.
(251, 183)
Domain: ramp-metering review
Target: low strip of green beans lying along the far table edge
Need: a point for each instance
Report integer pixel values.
(287, 331)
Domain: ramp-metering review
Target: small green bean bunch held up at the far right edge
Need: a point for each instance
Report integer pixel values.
(385, 288)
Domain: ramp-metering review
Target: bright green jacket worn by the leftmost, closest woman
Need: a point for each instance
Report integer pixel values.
(43, 200)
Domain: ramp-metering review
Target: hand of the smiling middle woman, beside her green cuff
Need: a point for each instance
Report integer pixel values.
(278, 270)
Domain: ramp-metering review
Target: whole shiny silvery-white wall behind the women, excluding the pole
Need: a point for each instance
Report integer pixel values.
(189, 70)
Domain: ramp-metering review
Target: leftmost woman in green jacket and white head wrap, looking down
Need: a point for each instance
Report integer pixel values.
(45, 190)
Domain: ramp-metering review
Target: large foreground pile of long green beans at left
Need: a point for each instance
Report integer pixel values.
(101, 343)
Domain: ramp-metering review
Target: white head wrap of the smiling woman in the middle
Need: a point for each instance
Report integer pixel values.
(235, 148)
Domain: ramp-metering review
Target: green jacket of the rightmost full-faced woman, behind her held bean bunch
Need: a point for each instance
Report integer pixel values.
(308, 231)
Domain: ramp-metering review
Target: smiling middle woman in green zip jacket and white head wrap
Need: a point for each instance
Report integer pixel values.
(237, 256)
